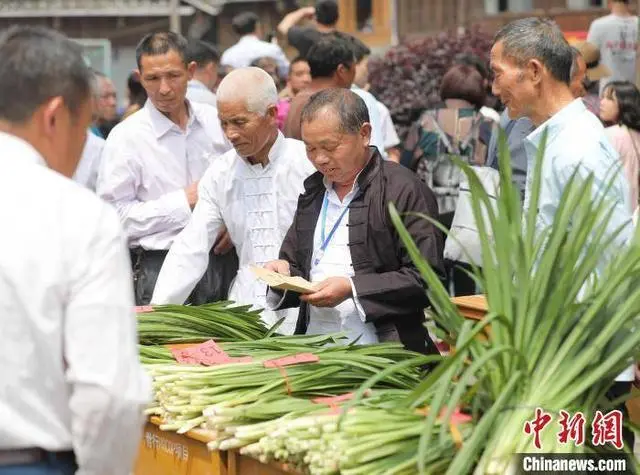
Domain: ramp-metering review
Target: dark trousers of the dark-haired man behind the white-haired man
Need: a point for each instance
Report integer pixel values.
(213, 286)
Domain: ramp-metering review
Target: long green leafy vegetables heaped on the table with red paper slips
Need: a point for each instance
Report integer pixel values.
(559, 329)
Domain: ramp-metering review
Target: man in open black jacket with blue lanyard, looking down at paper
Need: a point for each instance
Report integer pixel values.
(342, 238)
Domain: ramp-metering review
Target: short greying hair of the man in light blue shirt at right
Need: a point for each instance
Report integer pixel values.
(537, 38)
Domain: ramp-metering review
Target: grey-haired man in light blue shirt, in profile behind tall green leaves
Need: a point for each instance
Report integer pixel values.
(531, 62)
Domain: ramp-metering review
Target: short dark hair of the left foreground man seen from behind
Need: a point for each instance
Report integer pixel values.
(38, 64)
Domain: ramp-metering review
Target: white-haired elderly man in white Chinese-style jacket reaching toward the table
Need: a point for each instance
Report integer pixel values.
(253, 189)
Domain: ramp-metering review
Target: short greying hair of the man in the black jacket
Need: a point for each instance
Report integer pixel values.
(351, 110)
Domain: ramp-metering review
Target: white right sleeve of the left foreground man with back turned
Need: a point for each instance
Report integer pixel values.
(109, 388)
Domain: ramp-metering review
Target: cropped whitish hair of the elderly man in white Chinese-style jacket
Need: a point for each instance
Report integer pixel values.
(252, 85)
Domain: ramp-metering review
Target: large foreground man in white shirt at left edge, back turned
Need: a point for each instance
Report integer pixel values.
(72, 390)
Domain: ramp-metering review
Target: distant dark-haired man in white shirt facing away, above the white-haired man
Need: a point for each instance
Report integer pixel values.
(250, 47)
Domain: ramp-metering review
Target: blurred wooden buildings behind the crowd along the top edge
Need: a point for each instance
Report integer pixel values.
(110, 29)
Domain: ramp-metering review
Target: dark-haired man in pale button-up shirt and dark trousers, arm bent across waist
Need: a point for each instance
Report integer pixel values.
(153, 161)
